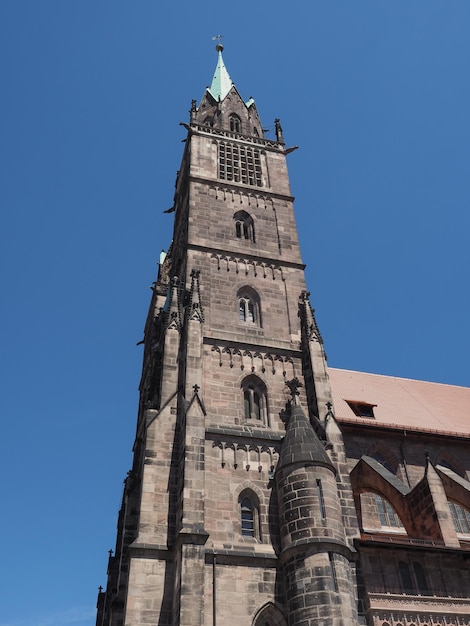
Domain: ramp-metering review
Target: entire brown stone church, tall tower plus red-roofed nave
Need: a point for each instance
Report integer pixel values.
(266, 488)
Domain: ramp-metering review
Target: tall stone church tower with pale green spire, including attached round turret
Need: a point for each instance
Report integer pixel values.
(238, 508)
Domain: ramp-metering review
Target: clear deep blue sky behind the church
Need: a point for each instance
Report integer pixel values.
(376, 94)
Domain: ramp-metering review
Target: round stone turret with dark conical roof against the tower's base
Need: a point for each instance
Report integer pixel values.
(315, 555)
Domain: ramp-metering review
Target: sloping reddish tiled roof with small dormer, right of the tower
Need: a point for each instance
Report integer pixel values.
(401, 402)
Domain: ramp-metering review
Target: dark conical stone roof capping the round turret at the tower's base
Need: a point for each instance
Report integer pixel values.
(301, 444)
